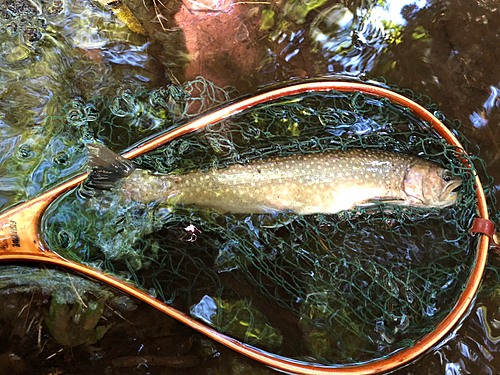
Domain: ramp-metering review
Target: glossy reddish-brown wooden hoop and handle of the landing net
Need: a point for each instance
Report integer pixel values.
(21, 239)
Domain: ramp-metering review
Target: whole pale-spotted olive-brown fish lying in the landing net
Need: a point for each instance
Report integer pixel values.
(326, 182)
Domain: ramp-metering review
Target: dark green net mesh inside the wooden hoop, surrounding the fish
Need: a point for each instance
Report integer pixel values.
(330, 289)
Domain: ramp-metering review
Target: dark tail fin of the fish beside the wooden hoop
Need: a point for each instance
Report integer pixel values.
(105, 167)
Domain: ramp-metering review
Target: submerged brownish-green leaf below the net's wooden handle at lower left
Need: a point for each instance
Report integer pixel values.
(76, 325)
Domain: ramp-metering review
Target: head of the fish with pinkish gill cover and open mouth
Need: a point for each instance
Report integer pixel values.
(428, 184)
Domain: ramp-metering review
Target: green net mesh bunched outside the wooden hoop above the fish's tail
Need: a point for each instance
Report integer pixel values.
(132, 116)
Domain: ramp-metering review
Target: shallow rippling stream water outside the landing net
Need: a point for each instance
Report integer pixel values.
(447, 50)
